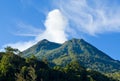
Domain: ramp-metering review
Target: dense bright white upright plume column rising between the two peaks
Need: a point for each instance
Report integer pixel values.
(55, 25)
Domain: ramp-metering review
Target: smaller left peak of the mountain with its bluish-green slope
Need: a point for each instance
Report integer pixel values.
(40, 48)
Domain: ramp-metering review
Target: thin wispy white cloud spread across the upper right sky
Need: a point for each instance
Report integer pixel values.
(93, 18)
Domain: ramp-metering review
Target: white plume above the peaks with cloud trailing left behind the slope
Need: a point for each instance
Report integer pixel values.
(55, 26)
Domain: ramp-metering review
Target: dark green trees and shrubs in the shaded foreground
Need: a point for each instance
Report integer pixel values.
(15, 68)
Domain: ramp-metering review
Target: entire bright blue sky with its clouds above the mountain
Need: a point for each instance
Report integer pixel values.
(25, 22)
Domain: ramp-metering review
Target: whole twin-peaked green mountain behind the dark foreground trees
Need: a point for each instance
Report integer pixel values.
(73, 50)
